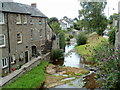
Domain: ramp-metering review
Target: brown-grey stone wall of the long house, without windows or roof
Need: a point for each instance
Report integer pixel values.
(27, 41)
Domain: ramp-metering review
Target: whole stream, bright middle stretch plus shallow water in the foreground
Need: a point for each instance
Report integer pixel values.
(72, 59)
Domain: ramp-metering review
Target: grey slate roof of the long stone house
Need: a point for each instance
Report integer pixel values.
(14, 7)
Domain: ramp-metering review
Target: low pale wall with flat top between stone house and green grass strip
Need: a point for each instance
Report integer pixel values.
(14, 75)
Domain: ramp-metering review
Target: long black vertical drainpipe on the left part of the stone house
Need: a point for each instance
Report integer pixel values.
(9, 51)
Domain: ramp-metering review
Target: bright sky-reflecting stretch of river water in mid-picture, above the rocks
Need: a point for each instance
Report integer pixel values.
(71, 58)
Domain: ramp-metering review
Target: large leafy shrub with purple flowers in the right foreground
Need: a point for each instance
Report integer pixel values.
(108, 65)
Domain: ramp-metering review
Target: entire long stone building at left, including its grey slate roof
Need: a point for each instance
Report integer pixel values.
(24, 33)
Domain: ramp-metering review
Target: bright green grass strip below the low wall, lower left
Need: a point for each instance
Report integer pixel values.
(30, 79)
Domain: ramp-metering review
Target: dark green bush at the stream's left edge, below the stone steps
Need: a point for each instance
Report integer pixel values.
(57, 54)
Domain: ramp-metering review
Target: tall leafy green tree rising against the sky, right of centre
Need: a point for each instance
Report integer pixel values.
(93, 17)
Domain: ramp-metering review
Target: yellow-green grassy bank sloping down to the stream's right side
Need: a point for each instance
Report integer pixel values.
(87, 50)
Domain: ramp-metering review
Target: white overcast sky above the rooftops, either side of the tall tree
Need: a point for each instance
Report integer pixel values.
(69, 8)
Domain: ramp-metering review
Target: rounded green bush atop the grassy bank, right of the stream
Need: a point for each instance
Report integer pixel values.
(81, 38)
